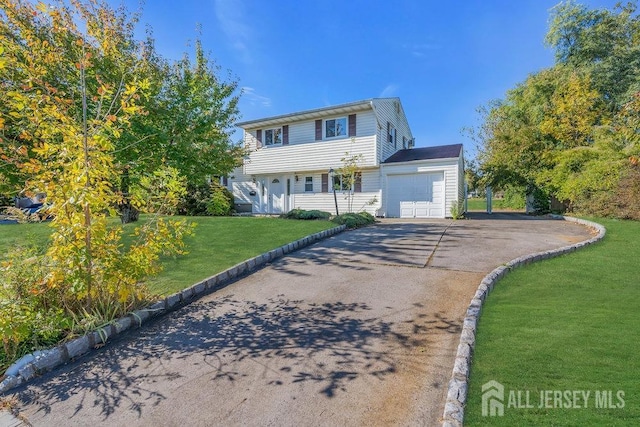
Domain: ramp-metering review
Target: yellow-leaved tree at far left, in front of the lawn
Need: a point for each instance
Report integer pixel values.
(70, 82)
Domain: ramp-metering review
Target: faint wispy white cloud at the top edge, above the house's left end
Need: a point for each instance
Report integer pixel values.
(231, 18)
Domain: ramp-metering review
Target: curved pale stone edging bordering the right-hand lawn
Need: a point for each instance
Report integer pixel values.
(453, 415)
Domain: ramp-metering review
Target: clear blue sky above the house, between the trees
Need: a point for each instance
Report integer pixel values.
(442, 58)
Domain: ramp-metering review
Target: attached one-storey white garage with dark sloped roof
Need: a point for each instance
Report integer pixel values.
(423, 182)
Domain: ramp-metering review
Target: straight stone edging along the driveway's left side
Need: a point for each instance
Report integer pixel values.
(39, 362)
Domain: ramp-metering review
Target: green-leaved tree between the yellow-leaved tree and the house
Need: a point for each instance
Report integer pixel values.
(190, 112)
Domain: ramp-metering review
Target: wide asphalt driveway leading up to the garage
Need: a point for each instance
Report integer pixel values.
(359, 329)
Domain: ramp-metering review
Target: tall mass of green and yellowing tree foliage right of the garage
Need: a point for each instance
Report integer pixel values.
(567, 129)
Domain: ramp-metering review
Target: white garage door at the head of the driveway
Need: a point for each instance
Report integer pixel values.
(416, 196)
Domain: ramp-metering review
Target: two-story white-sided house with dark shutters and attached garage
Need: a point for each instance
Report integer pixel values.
(294, 158)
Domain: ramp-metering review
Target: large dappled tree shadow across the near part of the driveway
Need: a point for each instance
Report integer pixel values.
(222, 341)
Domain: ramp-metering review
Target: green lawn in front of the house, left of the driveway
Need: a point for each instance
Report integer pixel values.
(218, 243)
